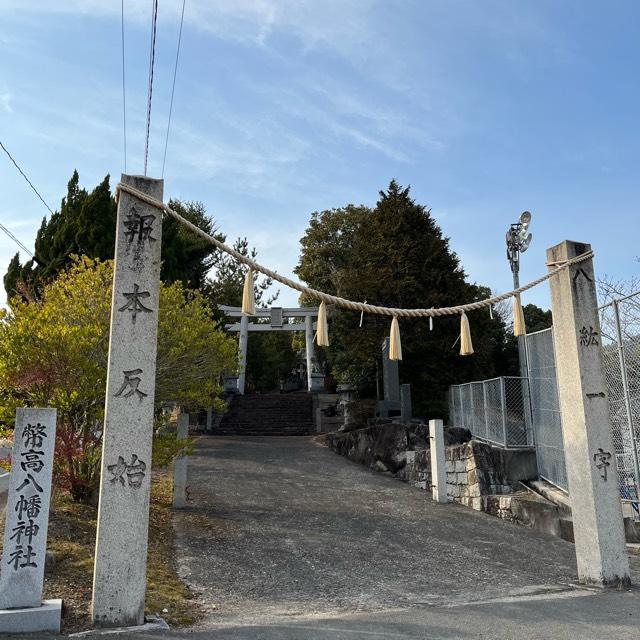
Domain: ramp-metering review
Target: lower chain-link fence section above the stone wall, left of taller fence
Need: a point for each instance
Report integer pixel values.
(496, 410)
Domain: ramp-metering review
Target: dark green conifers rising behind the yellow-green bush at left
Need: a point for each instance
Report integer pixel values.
(86, 224)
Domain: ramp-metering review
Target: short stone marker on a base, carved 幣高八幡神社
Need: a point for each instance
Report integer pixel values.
(26, 524)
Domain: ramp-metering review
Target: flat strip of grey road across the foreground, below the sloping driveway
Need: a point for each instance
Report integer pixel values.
(599, 616)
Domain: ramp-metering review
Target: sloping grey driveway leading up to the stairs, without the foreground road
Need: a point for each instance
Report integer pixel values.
(282, 527)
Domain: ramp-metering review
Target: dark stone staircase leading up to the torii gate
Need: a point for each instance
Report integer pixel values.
(286, 414)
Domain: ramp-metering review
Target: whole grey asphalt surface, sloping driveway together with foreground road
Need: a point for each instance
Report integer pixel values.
(284, 539)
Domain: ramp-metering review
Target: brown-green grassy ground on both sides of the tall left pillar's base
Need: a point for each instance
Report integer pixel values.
(72, 532)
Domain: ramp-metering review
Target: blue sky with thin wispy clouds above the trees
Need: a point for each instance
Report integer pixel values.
(285, 107)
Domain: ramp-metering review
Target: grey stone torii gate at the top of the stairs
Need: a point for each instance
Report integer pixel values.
(277, 316)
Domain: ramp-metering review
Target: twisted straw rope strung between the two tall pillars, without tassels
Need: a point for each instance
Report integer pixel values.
(336, 300)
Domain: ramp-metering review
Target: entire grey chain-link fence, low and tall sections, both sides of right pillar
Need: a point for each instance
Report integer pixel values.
(509, 421)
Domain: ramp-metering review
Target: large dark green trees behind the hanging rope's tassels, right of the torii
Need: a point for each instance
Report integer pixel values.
(395, 255)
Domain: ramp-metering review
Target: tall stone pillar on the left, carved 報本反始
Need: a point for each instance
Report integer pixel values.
(119, 578)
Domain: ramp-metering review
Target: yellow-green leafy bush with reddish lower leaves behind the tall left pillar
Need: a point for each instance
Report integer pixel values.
(53, 352)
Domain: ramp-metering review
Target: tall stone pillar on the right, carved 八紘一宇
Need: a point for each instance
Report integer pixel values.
(586, 425)
